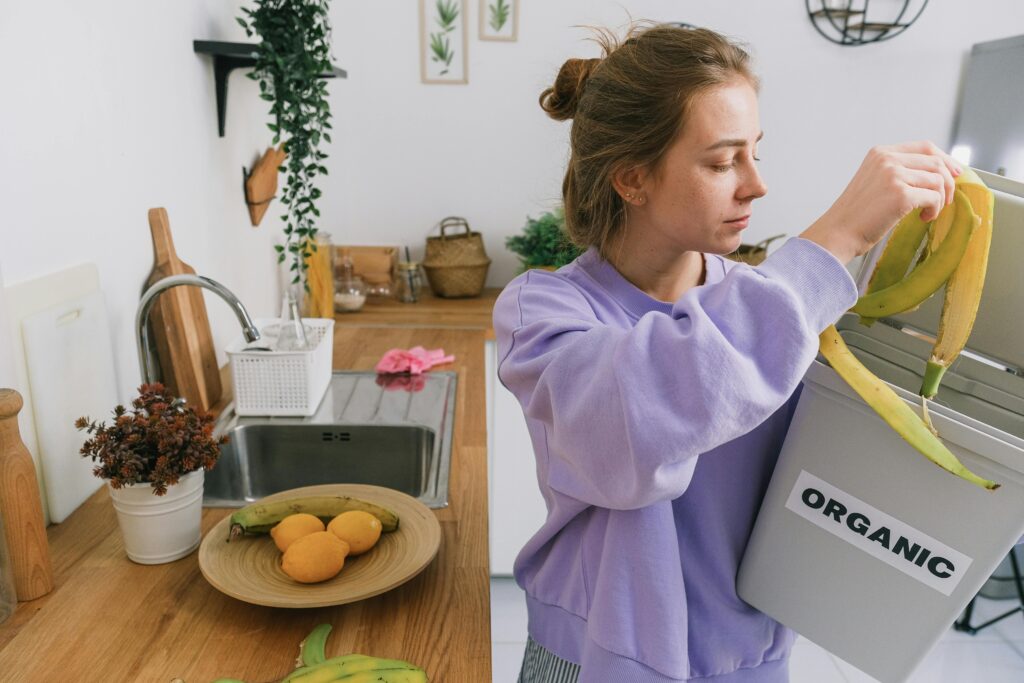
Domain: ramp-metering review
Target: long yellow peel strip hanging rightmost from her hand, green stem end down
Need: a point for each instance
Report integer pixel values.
(965, 287)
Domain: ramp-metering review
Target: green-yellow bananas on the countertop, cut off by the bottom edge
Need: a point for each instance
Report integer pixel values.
(314, 666)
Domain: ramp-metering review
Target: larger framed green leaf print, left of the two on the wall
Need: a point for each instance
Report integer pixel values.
(444, 42)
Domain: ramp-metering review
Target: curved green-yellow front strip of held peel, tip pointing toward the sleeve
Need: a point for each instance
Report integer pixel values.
(929, 277)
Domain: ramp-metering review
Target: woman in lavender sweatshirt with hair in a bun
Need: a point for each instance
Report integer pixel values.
(659, 378)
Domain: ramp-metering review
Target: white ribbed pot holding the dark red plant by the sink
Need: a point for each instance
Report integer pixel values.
(160, 529)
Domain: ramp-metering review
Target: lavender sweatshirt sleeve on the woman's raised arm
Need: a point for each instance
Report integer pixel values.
(626, 411)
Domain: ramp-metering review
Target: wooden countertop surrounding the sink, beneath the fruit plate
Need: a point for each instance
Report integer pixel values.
(111, 620)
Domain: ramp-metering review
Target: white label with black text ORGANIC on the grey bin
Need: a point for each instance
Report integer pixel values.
(885, 538)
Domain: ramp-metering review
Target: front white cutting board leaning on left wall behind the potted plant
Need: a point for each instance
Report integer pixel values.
(71, 371)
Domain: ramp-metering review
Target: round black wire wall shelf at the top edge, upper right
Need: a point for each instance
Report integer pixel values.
(848, 23)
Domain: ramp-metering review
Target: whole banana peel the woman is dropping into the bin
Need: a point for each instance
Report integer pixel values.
(954, 251)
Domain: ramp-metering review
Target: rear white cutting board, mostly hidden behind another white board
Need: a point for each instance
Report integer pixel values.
(27, 298)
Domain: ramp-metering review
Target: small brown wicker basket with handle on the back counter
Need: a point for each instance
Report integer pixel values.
(456, 265)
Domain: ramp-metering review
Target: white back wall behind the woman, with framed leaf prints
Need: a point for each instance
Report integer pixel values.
(486, 151)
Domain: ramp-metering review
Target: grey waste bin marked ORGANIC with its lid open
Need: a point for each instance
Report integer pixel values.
(863, 545)
